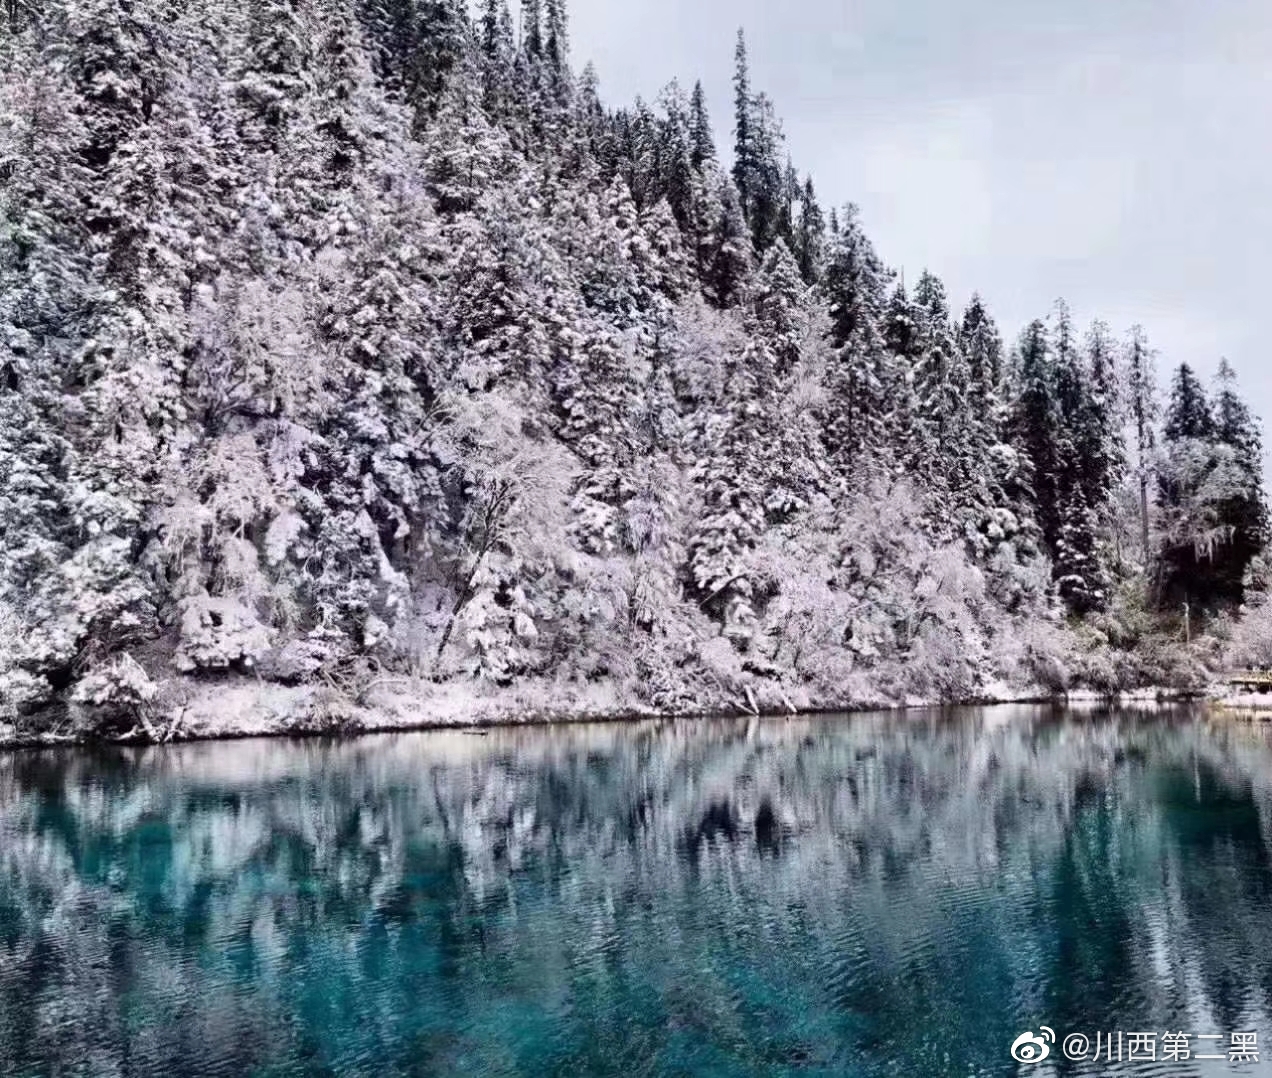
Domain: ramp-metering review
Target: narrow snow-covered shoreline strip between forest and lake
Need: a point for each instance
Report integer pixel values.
(251, 710)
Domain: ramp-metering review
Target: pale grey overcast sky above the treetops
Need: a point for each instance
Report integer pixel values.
(1111, 152)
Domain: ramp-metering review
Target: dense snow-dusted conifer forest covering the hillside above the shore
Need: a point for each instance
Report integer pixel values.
(340, 337)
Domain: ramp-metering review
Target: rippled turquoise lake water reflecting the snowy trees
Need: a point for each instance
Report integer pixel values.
(901, 895)
